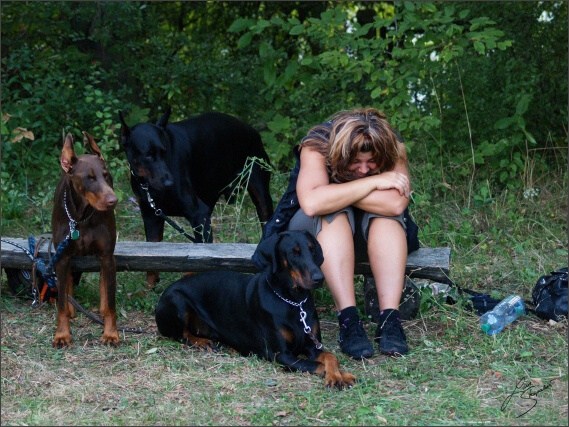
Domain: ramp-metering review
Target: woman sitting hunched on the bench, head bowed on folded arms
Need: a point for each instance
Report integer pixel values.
(350, 188)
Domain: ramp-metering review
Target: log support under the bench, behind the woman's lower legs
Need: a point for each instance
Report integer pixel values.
(408, 307)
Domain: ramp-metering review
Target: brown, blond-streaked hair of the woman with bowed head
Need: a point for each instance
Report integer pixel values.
(362, 130)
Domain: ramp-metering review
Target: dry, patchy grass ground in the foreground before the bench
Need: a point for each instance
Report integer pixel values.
(453, 375)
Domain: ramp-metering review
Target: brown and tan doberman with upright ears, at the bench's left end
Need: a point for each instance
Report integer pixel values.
(83, 214)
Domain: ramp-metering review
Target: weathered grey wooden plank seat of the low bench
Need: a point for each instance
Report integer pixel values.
(426, 263)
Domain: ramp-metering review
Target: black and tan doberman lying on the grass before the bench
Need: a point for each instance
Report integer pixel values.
(270, 314)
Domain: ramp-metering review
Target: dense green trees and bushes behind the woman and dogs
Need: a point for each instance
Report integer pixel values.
(482, 105)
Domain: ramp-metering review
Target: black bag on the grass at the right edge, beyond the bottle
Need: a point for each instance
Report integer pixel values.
(550, 296)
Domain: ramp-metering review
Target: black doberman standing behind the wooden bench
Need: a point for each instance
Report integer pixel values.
(186, 166)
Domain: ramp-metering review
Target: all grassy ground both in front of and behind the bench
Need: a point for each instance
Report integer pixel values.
(453, 375)
